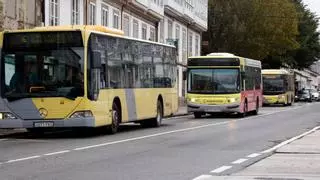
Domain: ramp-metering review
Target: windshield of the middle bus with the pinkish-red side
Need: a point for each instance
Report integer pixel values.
(214, 81)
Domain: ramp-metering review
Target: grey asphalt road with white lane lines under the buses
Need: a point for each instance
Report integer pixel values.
(184, 148)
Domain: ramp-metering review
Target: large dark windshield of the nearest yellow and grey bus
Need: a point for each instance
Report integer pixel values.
(45, 68)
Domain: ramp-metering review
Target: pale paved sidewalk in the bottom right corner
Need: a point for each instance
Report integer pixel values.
(299, 160)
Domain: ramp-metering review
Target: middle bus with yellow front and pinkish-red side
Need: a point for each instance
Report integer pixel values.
(223, 82)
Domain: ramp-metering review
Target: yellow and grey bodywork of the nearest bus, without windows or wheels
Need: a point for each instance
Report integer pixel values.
(136, 103)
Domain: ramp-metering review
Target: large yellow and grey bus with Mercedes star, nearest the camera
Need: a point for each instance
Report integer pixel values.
(84, 76)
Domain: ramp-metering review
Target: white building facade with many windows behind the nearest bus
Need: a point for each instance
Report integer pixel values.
(155, 20)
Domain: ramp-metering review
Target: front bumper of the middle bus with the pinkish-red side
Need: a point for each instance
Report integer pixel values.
(234, 107)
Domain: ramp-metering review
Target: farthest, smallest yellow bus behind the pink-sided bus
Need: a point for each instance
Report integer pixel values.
(278, 87)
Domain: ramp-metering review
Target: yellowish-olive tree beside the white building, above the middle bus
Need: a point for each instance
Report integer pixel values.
(252, 28)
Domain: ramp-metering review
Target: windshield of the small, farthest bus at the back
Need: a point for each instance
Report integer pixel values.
(273, 85)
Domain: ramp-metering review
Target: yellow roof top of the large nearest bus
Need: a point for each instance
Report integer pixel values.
(72, 28)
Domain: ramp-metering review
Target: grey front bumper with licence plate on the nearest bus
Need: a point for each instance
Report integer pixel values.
(52, 123)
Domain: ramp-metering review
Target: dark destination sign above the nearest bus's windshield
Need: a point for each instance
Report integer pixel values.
(42, 39)
